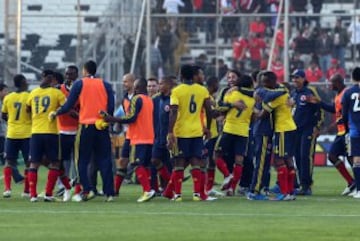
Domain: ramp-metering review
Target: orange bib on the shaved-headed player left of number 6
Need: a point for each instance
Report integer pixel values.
(142, 130)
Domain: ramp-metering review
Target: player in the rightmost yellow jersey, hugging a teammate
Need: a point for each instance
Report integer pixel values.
(284, 127)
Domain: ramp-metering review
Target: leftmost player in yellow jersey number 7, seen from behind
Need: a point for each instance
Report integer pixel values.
(18, 132)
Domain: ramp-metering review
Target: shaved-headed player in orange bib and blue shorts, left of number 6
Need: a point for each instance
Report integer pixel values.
(140, 122)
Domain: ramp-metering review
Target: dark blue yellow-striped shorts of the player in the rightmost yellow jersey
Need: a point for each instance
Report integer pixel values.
(284, 146)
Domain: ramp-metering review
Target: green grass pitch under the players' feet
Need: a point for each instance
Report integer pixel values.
(324, 216)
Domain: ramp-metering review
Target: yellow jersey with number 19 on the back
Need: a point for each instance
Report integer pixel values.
(42, 101)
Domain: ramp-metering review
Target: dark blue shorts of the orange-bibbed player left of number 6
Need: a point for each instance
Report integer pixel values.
(140, 154)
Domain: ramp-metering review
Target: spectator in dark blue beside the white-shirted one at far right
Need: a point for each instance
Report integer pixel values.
(340, 41)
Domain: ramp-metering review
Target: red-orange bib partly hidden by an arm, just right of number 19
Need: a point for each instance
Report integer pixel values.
(66, 123)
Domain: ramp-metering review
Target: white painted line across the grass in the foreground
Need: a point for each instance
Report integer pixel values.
(112, 212)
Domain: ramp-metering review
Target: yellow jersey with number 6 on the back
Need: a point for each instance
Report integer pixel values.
(190, 100)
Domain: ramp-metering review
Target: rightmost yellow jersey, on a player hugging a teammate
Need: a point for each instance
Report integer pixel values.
(283, 119)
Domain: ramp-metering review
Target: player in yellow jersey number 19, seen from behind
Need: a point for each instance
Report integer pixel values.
(44, 139)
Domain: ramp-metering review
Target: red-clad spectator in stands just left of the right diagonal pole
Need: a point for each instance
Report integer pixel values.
(256, 48)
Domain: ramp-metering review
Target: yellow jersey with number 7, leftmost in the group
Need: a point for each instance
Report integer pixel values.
(19, 119)
